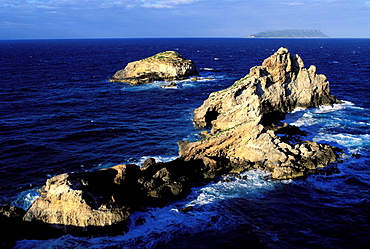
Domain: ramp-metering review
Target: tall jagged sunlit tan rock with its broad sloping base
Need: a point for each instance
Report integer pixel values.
(242, 117)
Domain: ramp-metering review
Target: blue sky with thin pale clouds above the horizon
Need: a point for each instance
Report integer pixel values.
(74, 19)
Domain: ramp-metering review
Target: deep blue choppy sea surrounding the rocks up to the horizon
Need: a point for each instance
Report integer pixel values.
(59, 113)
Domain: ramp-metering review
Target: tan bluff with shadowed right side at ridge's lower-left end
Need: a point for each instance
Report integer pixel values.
(86, 199)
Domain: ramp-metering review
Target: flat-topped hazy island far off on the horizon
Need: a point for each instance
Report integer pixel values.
(290, 33)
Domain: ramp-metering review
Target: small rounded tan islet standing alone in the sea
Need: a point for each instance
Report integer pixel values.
(168, 65)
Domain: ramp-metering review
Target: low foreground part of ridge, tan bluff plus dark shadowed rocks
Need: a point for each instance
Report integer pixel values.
(85, 201)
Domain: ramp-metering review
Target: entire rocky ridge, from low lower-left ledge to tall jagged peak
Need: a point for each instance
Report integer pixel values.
(244, 121)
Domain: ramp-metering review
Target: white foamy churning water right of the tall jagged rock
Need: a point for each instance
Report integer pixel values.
(329, 124)
